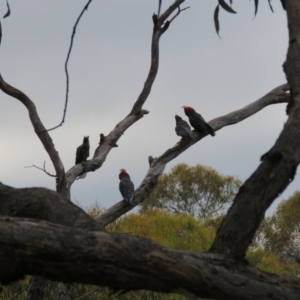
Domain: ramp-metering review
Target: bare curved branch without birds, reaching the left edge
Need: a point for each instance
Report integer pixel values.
(41, 133)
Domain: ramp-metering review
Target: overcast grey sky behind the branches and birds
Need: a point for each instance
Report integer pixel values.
(108, 66)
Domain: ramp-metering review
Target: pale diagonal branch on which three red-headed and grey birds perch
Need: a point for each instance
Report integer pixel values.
(157, 165)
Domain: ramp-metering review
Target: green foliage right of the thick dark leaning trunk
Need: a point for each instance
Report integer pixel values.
(279, 235)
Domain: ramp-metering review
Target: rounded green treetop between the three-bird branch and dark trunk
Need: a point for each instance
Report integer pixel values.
(197, 191)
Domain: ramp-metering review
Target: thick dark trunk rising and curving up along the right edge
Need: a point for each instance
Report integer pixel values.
(279, 164)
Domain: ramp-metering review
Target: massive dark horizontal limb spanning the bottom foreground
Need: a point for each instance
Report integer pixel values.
(129, 263)
